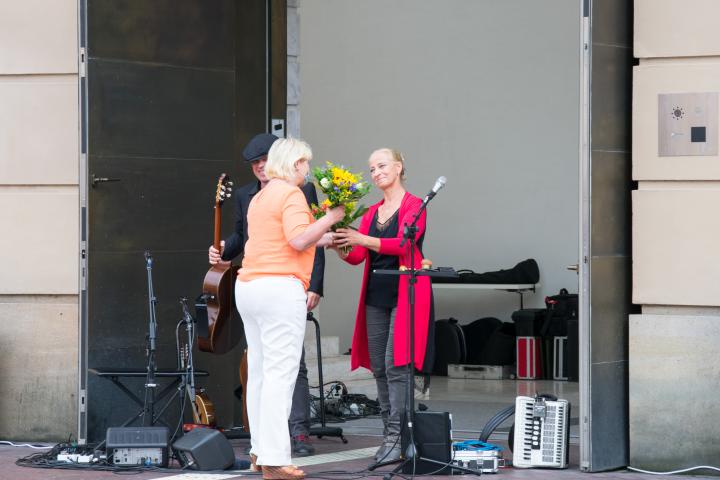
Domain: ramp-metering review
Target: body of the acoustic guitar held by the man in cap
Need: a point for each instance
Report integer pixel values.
(224, 324)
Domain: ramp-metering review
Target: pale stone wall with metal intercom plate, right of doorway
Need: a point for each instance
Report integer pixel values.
(676, 273)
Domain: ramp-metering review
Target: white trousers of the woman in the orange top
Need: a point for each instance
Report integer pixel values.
(274, 314)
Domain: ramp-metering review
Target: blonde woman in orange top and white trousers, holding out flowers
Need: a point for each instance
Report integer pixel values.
(271, 298)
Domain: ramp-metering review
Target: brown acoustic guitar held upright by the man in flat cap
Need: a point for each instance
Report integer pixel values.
(224, 329)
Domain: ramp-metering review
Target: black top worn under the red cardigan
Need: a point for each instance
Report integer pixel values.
(382, 289)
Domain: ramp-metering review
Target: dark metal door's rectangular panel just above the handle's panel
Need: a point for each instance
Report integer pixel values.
(161, 111)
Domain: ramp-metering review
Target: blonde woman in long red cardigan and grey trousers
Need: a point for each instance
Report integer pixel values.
(380, 341)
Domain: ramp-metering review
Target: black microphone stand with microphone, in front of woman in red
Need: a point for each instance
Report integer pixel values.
(411, 453)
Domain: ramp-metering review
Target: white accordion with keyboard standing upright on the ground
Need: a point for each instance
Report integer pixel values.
(542, 432)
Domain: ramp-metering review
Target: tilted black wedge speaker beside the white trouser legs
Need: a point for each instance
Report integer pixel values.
(204, 449)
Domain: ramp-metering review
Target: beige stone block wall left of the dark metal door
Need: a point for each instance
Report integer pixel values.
(39, 196)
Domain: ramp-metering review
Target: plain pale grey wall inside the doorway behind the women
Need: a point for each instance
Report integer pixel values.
(483, 92)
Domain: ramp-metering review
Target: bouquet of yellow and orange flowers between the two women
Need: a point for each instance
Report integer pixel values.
(342, 188)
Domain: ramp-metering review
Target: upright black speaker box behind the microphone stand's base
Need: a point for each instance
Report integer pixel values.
(432, 439)
